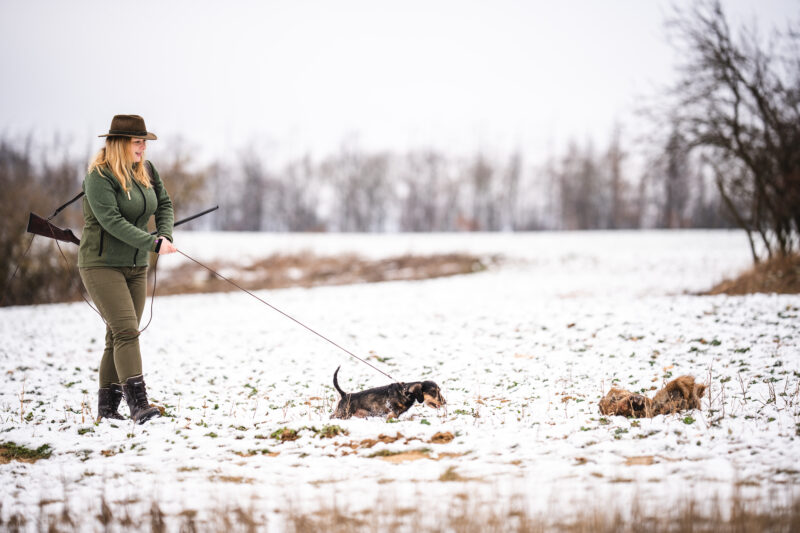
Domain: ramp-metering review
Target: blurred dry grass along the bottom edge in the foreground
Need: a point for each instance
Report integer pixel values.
(464, 513)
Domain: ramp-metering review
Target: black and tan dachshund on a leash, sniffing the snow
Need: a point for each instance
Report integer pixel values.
(390, 401)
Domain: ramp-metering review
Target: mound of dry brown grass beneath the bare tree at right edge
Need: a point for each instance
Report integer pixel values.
(780, 275)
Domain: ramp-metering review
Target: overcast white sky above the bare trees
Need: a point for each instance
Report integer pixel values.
(304, 75)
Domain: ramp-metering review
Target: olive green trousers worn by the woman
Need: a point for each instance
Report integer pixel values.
(119, 294)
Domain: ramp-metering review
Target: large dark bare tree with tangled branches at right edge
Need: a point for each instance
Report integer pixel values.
(737, 103)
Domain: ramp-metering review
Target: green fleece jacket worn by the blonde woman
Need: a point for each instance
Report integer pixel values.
(115, 223)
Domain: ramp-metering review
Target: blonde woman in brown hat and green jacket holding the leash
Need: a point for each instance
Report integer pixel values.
(123, 191)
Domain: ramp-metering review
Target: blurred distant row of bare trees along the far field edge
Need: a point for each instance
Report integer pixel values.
(427, 190)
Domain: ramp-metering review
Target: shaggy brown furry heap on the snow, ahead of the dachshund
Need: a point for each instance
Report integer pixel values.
(678, 395)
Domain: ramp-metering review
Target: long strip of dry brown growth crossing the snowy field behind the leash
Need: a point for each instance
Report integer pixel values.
(310, 270)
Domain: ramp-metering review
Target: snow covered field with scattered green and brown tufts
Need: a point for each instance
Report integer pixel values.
(522, 354)
